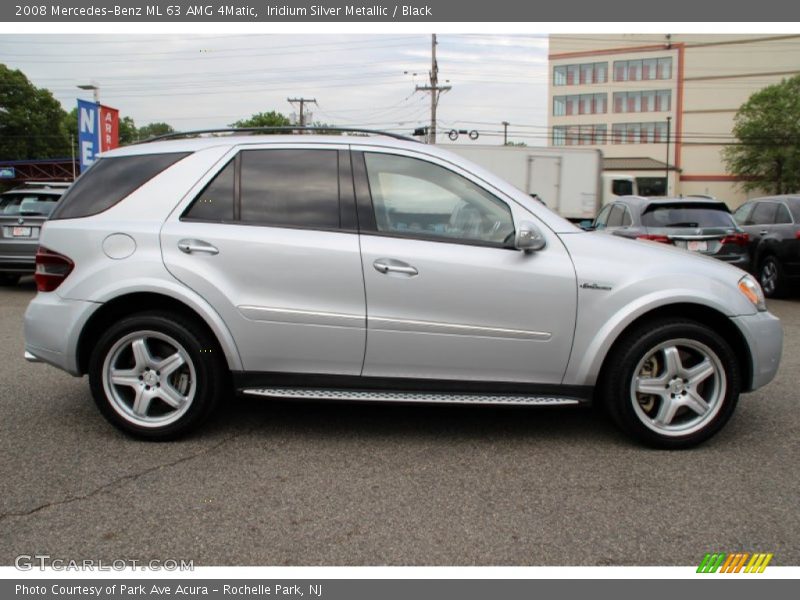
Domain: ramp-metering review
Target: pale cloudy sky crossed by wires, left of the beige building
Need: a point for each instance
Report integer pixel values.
(201, 81)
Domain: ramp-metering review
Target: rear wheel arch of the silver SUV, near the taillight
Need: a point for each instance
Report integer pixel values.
(136, 302)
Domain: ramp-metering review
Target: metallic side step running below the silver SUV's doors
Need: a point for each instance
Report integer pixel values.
(424, 397)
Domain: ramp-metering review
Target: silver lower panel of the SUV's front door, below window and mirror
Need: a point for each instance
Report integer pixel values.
(470, 312)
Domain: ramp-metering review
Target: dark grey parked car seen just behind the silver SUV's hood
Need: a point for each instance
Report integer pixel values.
(700, 224)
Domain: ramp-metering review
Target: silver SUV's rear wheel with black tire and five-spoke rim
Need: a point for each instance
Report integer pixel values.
(194, 386)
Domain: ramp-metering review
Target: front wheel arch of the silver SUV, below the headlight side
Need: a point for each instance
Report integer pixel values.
(699, 313)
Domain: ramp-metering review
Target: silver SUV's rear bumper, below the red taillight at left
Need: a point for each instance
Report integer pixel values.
(52, 329)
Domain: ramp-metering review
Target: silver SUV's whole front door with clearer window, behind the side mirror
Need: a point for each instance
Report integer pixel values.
(447, 297)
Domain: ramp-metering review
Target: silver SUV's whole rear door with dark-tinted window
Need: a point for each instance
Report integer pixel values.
(270, 241)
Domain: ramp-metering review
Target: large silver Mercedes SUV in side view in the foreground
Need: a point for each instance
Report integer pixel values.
(375, 268)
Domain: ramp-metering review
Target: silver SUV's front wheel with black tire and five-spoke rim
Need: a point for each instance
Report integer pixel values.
(641, 361)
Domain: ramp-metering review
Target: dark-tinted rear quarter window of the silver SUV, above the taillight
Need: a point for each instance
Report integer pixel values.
(110, 180)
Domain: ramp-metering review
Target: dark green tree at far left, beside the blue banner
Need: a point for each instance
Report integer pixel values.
(31, 120)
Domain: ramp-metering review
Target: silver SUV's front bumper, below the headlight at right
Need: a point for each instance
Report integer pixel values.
(764, 335)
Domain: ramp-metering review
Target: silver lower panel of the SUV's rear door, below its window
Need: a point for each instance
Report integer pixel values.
(292, 299)
